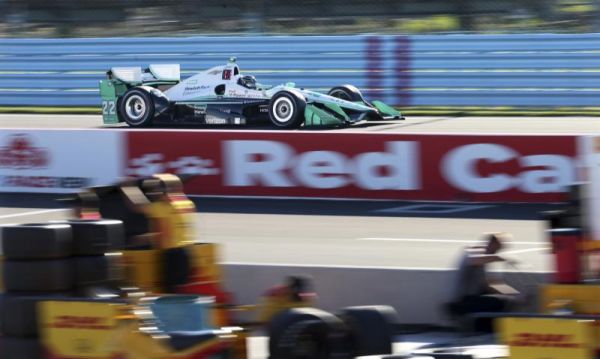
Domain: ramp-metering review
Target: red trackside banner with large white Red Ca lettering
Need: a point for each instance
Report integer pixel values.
(517, 168)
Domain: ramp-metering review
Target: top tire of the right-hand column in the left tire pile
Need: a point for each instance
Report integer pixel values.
(96, 237)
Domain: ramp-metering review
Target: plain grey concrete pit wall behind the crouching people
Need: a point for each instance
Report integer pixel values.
(417, 294)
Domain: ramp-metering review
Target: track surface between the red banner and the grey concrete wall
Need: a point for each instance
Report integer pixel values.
(338, 233)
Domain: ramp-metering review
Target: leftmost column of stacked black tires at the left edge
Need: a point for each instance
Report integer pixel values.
(36, 267)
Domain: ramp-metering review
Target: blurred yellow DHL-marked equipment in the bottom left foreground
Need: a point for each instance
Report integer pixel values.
(101, 330)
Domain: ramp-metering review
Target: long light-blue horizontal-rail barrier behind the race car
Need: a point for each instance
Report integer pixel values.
(431, 70)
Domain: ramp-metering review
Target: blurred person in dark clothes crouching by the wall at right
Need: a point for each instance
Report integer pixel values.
(474, 291)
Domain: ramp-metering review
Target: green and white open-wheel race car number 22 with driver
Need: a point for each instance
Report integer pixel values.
(223, 95)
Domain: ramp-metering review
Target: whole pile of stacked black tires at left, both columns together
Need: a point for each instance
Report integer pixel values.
(51, 261)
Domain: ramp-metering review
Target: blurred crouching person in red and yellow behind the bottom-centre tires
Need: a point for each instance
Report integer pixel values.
(293, 293)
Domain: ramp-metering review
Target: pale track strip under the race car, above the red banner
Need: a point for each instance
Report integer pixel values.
(426, 124)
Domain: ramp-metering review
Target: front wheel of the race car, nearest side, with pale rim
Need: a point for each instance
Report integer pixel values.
(286, 109)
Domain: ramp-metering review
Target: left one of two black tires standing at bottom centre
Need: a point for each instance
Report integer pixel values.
(307, 333)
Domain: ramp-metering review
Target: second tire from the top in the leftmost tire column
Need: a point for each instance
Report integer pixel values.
(40, 275)
